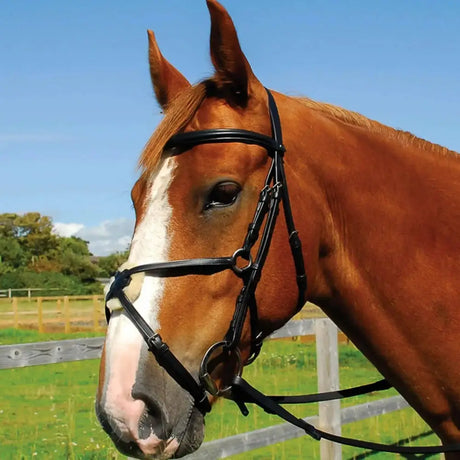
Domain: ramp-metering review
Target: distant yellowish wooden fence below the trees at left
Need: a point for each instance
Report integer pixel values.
(54, 313)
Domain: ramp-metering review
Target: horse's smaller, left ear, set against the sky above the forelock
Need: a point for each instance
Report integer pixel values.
(167, 81)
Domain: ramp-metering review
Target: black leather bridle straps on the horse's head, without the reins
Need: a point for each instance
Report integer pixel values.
(242, 263)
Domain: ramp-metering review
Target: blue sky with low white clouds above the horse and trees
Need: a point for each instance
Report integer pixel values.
(76, 103)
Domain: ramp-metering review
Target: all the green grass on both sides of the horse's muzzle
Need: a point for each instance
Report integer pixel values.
(47, 412)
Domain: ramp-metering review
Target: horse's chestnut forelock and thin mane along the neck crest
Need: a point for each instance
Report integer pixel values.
(182, 109)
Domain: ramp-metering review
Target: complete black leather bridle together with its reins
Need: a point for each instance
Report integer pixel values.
(249, 269)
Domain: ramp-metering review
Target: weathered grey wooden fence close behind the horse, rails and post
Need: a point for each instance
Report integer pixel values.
(330, 417)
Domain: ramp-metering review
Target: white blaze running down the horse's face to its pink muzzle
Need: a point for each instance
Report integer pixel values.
(123, 343)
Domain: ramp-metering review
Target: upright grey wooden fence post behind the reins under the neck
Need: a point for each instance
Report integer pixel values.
(328, 380)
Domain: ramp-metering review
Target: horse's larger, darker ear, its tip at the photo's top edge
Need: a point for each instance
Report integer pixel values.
(232, 68)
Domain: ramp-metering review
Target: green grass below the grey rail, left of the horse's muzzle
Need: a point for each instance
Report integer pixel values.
(47, 412)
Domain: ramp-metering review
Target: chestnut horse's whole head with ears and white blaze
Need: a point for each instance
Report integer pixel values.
(194, 202)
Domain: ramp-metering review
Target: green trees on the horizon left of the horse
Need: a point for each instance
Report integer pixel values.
(32, 256)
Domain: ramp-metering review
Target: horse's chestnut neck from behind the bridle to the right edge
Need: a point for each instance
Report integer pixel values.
(389, 210)
